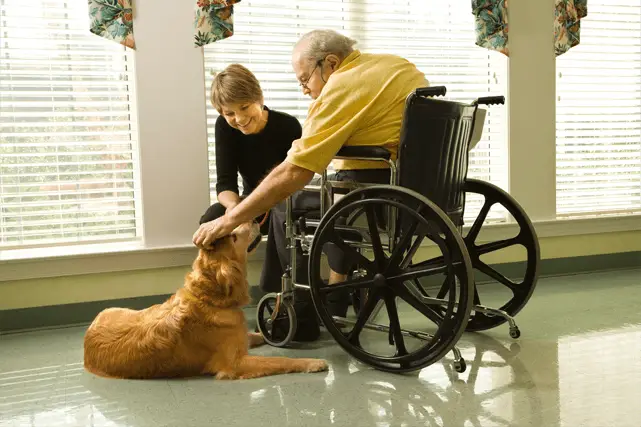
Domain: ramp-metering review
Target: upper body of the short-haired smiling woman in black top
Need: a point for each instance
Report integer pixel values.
(250, 138)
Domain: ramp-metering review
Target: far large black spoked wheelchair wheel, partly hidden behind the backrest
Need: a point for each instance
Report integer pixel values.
(520, 290)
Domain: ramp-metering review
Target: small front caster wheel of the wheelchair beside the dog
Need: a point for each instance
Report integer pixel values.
(279, 332)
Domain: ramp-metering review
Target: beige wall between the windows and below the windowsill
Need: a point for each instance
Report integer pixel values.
(531, 104)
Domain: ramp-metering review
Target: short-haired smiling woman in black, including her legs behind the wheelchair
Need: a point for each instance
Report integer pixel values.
(251, 140)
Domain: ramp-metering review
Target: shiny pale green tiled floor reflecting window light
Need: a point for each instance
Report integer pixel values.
(577, 364)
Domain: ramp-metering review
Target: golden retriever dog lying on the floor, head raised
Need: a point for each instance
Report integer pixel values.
(200, 330)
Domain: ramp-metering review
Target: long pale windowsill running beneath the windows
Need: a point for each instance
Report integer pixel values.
(20, 264)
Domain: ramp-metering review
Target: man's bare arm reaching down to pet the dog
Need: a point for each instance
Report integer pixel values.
(283, 181)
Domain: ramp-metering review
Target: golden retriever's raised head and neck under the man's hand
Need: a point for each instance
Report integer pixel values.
(219, 272)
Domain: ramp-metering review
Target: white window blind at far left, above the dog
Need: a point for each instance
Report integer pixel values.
(68, 159)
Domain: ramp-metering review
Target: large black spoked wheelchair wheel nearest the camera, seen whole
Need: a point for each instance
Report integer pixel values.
(392, 277)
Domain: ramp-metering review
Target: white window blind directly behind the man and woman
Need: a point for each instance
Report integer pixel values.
(437, 35)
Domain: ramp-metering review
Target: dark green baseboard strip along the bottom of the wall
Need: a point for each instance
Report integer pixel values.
(83, 313)
